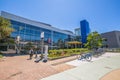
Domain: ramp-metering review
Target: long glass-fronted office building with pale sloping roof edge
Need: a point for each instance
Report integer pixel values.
(30, 30)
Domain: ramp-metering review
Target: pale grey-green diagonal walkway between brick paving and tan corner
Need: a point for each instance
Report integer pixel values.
(90, 71)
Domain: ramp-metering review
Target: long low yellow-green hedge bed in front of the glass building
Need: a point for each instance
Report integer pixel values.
(55, 54)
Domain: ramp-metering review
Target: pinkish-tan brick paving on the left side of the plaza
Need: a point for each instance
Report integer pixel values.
(14, 67)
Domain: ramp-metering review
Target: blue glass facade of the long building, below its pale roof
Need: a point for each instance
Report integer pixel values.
(32, 33)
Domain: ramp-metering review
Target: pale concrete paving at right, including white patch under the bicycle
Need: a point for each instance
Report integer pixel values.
(94, 70)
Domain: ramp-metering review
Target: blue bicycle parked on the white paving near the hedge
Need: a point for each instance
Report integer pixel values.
(86, 56)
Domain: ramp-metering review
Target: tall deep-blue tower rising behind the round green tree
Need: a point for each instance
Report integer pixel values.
(85, 30)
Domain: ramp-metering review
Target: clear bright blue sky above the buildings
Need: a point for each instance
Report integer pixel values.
(102, 15)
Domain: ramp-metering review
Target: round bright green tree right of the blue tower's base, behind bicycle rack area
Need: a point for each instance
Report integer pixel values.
(94, 40)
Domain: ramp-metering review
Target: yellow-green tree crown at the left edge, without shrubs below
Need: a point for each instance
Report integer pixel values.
(5, 28)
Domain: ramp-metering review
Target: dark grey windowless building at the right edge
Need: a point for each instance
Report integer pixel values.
(112, 39)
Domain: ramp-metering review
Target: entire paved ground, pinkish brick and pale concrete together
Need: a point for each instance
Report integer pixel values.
(19, 68)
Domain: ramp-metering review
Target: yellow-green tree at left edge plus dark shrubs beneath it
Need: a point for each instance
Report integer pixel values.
(5, 31)
